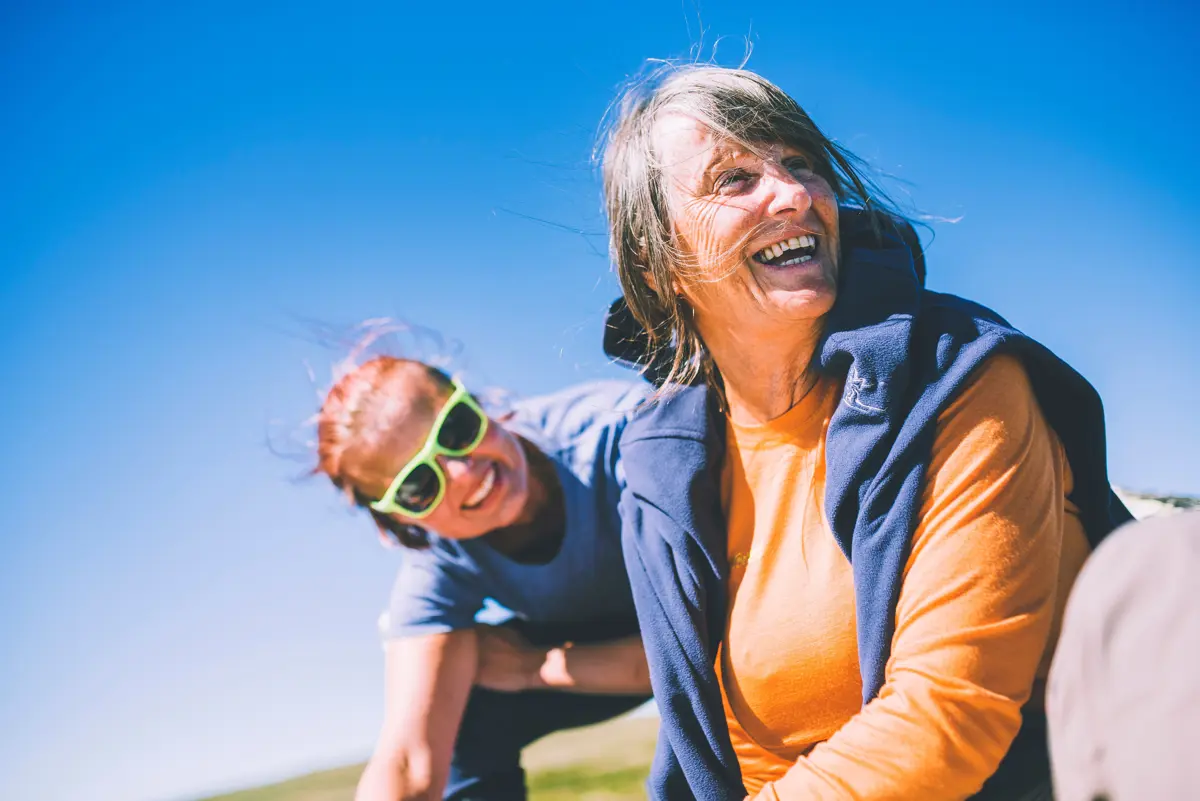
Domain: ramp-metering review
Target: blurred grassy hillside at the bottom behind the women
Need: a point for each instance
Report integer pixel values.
(598, 763)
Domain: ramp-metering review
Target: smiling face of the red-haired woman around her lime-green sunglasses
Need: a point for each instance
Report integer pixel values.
(485, 490)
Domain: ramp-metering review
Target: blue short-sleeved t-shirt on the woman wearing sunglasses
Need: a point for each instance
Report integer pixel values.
(457, 583)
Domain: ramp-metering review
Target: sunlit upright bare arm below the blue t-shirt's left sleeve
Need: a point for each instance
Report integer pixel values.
(428, 680)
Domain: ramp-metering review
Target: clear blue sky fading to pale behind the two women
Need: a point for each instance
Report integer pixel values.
(178, 186)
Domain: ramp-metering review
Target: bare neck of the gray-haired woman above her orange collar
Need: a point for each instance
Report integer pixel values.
(765, 375)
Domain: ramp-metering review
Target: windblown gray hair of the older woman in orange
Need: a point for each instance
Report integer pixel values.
(739, 106)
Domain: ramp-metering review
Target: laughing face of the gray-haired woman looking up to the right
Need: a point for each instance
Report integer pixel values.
(760, 228)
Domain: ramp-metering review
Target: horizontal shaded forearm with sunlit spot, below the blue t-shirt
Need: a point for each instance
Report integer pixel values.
(509, 664)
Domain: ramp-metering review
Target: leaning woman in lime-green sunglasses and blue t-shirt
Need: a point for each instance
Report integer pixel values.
(507, 521)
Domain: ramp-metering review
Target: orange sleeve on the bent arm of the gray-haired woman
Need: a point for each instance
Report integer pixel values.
(975, 610)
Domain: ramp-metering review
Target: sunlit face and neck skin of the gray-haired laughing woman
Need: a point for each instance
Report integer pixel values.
(760, 323)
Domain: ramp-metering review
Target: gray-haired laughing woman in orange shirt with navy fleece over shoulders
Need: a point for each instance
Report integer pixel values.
(851, 540)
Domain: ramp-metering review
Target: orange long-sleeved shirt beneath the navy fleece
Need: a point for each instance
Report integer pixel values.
(994, 556)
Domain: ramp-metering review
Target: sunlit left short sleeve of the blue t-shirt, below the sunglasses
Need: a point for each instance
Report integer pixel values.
(435, 593)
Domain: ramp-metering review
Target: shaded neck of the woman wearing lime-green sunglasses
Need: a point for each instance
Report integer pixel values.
(537, 535)
